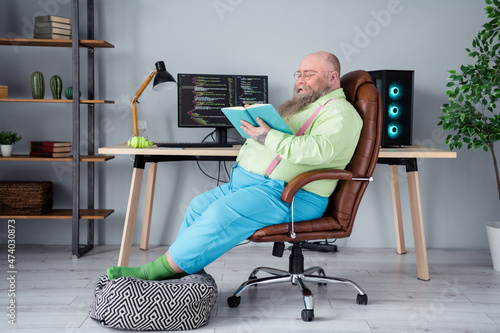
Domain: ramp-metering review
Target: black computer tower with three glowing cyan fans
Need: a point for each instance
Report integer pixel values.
(396, 88)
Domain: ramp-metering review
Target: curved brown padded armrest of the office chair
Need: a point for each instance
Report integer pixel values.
(301, 180)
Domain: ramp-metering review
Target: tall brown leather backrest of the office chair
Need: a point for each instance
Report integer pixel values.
(361, 92)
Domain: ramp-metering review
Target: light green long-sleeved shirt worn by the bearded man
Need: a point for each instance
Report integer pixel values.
(328, 143)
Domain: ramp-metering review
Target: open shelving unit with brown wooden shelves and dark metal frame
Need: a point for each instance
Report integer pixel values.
(76, 213)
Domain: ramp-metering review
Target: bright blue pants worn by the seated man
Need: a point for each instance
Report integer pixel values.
(221, 218)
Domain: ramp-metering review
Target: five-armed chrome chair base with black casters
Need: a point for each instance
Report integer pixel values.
(297, 276)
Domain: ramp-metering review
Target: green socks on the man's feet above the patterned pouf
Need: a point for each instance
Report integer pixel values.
(156, 270)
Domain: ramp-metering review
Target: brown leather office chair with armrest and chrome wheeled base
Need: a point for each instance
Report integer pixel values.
(338, 219)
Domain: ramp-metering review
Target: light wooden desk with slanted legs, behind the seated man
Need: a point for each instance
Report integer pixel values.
(392, 156)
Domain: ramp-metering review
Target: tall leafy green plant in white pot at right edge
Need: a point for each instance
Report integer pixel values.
(472, 112)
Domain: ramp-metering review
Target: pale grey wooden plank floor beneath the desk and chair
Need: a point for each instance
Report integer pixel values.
(53, 291)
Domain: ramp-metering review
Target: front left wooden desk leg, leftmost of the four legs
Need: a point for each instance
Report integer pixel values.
(128, 228)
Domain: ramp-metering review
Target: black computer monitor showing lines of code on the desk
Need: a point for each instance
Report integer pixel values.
(201, 97)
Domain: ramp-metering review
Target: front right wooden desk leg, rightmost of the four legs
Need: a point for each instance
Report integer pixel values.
(418, 226)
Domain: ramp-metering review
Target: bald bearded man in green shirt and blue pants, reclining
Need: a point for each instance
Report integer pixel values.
(327, 130)
